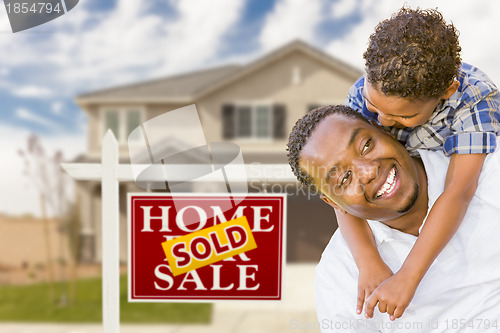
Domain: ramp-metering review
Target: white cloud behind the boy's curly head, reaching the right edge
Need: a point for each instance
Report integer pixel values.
(477, 21)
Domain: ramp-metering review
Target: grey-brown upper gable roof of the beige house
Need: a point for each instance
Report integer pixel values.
(186, 88)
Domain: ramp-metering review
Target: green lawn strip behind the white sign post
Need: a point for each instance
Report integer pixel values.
(31, 304)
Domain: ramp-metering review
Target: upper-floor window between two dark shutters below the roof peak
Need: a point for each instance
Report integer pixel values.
(253, 122)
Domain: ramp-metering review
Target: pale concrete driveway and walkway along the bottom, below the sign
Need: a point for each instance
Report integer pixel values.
(295, 313)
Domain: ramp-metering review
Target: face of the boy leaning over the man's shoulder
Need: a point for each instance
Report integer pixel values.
(397, 111)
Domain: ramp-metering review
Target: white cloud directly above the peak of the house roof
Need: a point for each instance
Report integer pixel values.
(289, 20)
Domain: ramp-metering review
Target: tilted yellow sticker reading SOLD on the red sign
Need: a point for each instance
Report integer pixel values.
(209, 245)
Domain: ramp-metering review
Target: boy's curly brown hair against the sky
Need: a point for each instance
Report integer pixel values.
(413, 55)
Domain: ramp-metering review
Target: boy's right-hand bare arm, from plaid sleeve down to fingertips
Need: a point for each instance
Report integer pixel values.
(395, 294)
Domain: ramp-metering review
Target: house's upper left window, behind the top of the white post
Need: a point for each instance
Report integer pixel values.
(121, 122)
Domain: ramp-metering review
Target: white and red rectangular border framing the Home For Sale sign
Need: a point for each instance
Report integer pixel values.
(198, 299)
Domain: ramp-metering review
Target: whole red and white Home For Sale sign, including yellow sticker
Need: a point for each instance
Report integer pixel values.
(255, 273)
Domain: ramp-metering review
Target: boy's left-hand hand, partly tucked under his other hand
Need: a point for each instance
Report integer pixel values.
(370, 277)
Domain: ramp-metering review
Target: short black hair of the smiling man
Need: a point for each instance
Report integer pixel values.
(302, 131)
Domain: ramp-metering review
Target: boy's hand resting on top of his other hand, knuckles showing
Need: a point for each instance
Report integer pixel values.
(393, 296)
